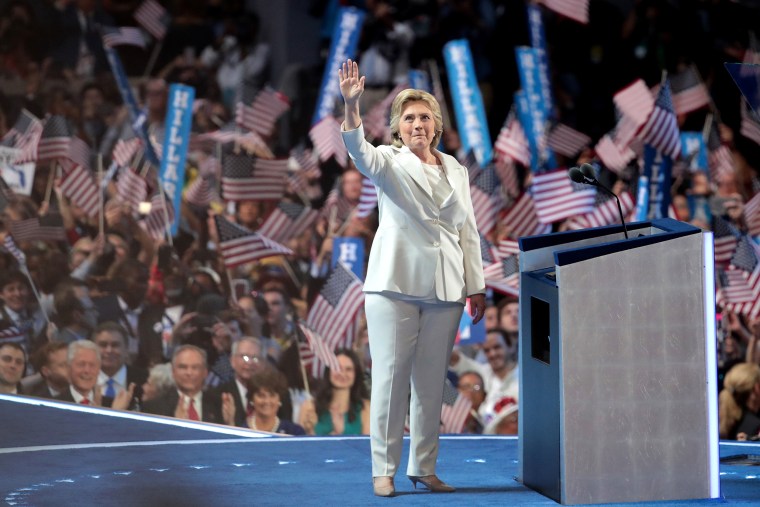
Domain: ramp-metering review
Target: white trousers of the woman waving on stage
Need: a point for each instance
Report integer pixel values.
(409, 341)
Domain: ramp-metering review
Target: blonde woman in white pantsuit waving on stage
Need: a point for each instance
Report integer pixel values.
(425, 261)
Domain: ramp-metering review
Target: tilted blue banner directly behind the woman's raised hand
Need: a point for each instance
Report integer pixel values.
(344, 41)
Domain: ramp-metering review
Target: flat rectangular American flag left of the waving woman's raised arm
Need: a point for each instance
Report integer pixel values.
(246, 178)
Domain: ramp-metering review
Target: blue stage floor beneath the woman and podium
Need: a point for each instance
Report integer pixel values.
(51, 456)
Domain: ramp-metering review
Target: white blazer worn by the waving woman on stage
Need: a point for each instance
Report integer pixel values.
(415, 235)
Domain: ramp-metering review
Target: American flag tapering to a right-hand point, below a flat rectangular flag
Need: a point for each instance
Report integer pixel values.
(239, 245)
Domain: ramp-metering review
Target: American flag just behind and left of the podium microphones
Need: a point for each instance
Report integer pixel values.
(556, 197)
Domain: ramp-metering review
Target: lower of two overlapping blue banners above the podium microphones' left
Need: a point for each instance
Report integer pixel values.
(530, 79)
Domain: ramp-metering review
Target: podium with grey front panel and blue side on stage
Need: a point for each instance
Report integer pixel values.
(618, 396)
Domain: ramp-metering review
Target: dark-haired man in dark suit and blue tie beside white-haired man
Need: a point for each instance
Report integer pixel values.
(115, 376)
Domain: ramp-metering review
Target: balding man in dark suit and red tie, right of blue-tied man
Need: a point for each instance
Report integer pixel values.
(189, 401)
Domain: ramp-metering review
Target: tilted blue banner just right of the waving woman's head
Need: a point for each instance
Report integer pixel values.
(468, 102)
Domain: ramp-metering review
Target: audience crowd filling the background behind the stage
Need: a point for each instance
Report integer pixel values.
(111, 315)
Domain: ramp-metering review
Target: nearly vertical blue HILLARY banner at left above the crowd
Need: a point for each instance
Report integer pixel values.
(179, 118)
